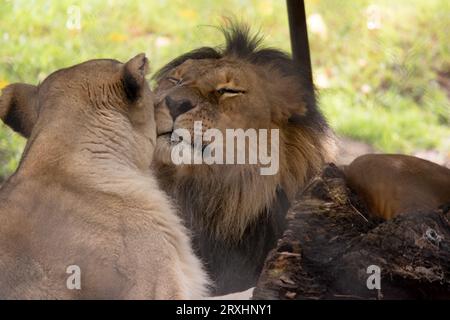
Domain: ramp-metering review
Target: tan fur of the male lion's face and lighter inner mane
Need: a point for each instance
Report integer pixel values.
(239, 191)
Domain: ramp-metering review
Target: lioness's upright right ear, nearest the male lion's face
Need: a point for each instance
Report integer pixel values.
(134, 76)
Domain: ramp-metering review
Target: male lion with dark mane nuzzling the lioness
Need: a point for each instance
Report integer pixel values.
(236, 213)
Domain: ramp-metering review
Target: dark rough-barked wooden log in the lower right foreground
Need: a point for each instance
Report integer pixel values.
(331, 242)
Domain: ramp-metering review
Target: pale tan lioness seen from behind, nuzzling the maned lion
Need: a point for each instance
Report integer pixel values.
(83, 194)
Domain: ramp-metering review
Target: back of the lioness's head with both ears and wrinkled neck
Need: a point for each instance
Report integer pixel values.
(103, 108)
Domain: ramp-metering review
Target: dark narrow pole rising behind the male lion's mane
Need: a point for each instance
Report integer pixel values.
(299, 35)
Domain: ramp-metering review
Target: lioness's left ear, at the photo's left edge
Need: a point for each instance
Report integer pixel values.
(19, 107)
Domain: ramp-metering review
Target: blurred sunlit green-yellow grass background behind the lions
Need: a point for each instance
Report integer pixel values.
(382, 67)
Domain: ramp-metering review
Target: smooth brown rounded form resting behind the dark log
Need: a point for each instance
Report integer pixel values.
(397, 184)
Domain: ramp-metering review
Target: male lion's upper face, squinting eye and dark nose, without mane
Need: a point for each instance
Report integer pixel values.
(223, 94)
